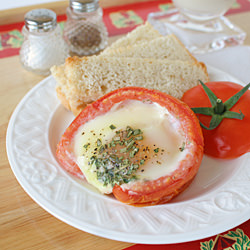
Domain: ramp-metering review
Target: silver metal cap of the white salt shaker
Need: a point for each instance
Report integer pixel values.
(40, 20)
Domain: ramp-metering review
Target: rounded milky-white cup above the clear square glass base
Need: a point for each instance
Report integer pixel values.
(203, 10)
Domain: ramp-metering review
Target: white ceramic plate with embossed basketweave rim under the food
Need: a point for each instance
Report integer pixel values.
(217, 200)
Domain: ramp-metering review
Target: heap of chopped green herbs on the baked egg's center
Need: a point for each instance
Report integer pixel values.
(113, 162)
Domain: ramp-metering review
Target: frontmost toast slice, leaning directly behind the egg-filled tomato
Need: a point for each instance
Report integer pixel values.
(83, 80)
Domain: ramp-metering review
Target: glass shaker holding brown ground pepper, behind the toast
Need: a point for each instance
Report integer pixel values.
(84, 31)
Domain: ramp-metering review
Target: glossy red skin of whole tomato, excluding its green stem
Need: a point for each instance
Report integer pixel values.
(231, 138)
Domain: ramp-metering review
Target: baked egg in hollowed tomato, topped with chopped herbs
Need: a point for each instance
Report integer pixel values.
(142, 145)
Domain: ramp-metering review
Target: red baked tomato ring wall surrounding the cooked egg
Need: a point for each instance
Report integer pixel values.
(142, 193)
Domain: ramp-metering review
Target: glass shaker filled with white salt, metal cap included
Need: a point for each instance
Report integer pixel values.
(43, 44)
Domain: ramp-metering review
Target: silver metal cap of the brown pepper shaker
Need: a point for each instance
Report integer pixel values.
(84, 5)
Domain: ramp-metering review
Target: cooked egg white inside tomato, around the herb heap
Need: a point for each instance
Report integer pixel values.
(161, 134)
